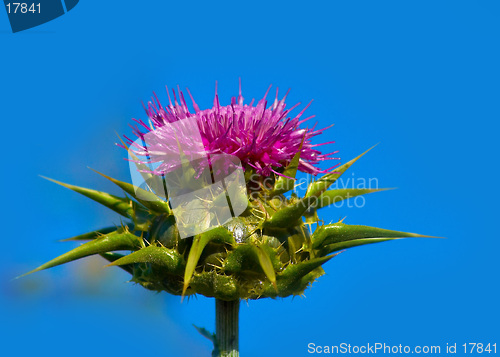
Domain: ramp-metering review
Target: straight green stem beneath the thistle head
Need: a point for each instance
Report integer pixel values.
(226, 327)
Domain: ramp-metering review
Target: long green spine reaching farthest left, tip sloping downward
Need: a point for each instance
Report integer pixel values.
(107, 243)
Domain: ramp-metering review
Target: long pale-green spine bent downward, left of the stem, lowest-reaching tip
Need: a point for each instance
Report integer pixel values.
(217, 235)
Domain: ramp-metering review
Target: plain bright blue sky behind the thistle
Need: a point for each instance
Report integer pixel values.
(420, 78)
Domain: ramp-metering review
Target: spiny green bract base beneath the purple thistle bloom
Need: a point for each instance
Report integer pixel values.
(268, 251)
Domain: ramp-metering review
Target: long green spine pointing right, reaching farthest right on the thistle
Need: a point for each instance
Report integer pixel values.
(340, 232)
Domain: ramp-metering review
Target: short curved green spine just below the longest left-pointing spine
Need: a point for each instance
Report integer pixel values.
(168, 259)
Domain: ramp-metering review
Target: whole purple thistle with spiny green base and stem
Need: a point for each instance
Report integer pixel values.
(268, 251)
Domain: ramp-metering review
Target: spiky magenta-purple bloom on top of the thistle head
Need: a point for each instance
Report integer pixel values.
(264, 138)
